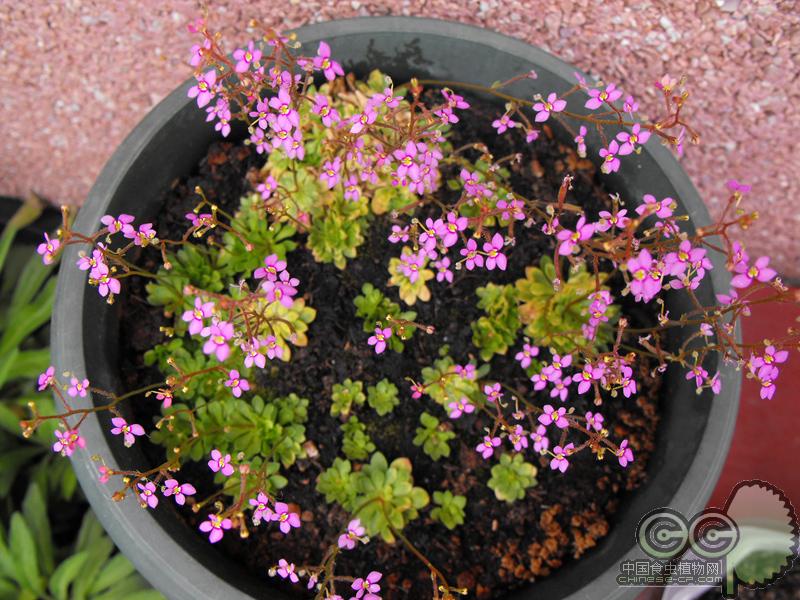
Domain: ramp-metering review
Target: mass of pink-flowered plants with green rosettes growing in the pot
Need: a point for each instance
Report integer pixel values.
(365, 194)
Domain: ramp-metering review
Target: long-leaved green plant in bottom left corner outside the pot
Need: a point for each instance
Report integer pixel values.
(33, 565)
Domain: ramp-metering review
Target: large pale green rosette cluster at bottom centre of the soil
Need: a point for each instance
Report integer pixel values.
(381, 494)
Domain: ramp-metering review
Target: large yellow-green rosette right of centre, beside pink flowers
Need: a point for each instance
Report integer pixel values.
(554, 317)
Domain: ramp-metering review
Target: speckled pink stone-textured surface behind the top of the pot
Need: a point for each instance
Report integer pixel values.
(77, 75)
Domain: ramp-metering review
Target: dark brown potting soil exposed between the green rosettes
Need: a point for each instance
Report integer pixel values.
(500, 547)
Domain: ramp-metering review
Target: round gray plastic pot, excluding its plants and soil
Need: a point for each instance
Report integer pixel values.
(694, 433)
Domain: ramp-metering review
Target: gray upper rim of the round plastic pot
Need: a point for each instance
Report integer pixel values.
(136, 532)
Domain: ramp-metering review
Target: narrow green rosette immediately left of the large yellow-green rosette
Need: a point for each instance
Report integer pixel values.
(497, 331)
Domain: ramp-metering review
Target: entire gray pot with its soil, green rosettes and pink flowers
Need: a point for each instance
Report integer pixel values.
(411, 334)
